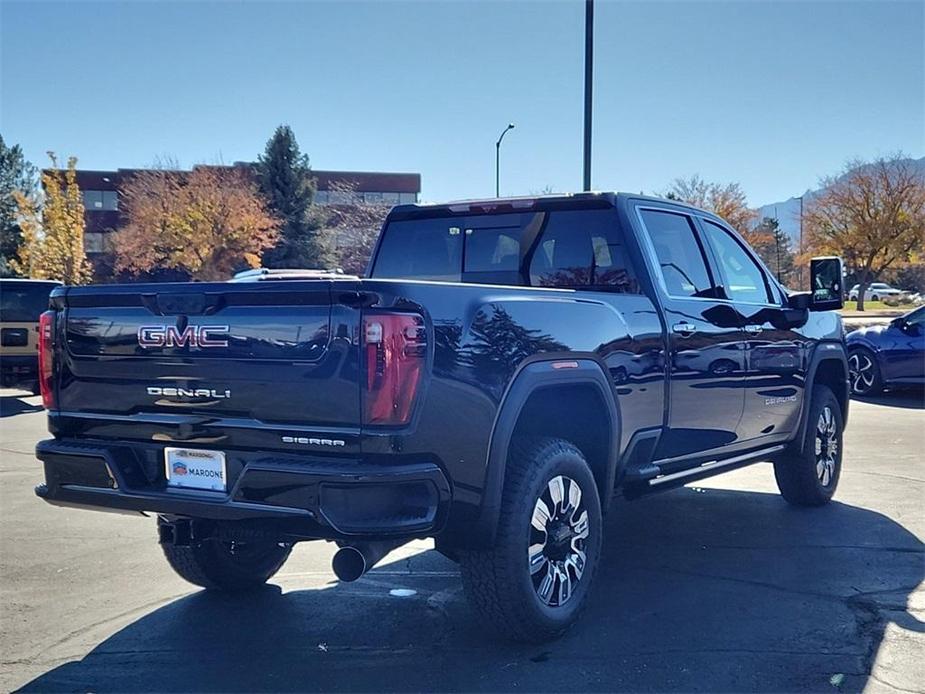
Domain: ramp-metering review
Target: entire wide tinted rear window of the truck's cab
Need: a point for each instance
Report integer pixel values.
(573, 249)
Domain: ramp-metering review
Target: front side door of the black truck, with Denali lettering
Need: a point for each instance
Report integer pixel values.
(774, 352)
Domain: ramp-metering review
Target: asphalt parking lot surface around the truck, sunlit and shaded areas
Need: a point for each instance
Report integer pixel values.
(714, 587)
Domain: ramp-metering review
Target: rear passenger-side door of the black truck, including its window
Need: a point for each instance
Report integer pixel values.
(705, 339)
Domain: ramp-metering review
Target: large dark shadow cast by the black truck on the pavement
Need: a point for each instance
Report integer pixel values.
(700, 590)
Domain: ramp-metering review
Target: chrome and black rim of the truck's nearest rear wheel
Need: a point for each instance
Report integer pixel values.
(558, 540)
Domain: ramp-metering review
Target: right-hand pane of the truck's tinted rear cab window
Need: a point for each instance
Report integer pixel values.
(582, 248)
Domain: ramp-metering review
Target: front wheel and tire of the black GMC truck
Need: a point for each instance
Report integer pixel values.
(809, 476)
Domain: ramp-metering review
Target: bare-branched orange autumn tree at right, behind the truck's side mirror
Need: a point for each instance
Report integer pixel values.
(872, 214)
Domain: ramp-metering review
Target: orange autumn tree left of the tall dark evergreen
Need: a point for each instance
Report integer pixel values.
(209, 223)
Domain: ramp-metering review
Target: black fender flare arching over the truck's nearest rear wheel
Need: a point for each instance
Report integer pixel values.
(530, 378)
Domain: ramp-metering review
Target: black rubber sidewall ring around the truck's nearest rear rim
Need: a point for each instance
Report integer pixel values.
(571, 465)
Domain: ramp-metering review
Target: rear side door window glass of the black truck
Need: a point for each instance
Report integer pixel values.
(679, 254)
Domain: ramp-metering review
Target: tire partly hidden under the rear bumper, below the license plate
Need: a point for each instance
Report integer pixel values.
(229, 566)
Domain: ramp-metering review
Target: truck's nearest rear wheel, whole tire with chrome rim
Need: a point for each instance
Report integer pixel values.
(499, 581)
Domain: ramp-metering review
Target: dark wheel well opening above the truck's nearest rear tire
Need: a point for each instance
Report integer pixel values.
(578, 414)
